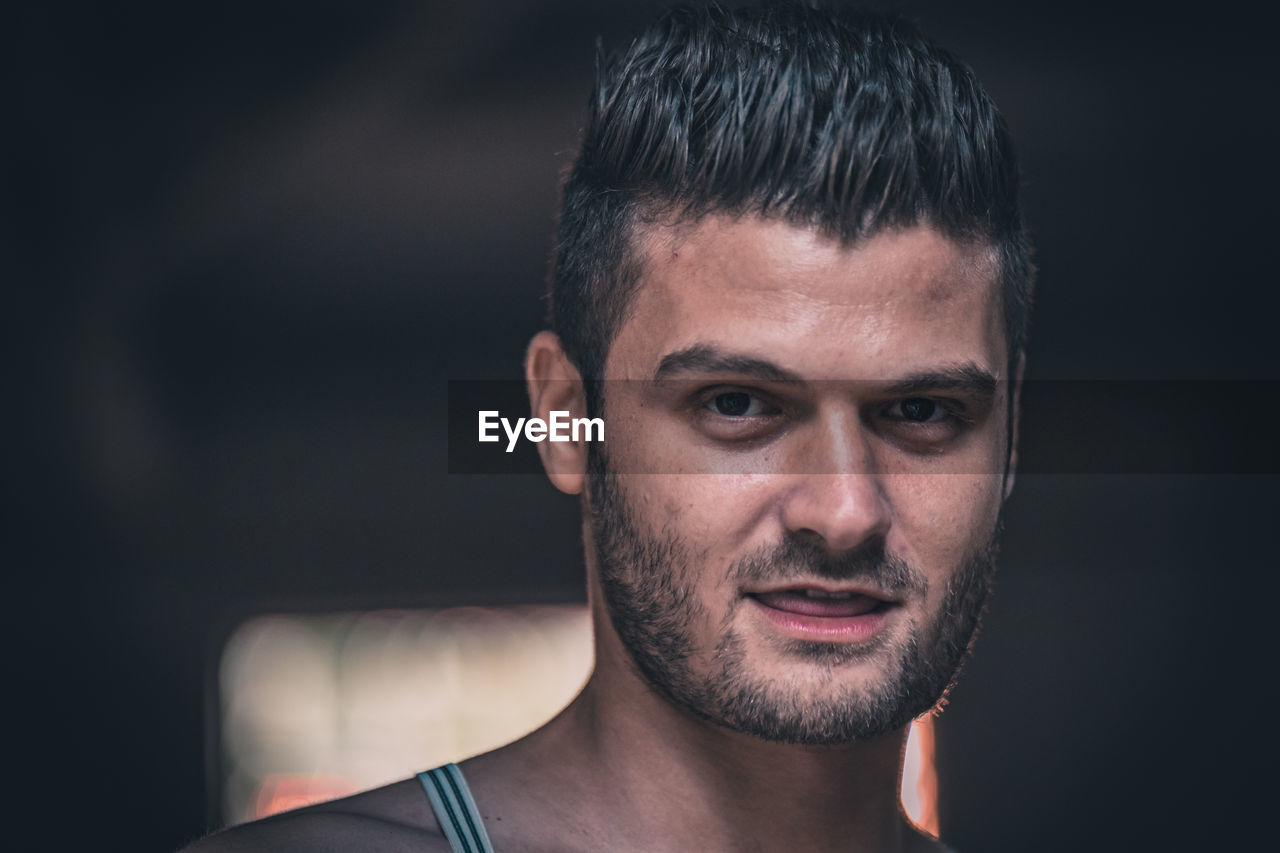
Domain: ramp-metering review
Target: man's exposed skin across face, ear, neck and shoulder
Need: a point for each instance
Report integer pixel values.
(826, 472)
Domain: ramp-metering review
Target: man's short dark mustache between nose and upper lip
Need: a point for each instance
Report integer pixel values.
(868, 564)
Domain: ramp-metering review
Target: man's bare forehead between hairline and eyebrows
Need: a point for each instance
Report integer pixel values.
(900, 302)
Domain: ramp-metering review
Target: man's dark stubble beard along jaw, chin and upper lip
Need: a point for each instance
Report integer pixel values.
(648, 587)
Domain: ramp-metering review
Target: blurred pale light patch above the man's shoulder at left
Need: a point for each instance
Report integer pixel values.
(322, 706)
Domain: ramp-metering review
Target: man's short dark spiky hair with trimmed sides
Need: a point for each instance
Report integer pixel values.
(843, 121)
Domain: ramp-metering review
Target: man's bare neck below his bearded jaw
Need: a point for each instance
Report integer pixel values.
(639, 772)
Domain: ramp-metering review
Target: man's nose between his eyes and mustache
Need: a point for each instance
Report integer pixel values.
(839, 496)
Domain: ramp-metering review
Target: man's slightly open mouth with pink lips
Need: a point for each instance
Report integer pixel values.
(822, 614)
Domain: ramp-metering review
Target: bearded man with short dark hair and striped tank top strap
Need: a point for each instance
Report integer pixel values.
(793, 280)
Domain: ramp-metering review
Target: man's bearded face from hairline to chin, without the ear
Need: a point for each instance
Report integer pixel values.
(794, 526)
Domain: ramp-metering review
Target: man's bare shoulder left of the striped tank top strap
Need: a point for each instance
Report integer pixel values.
(392, 819)
